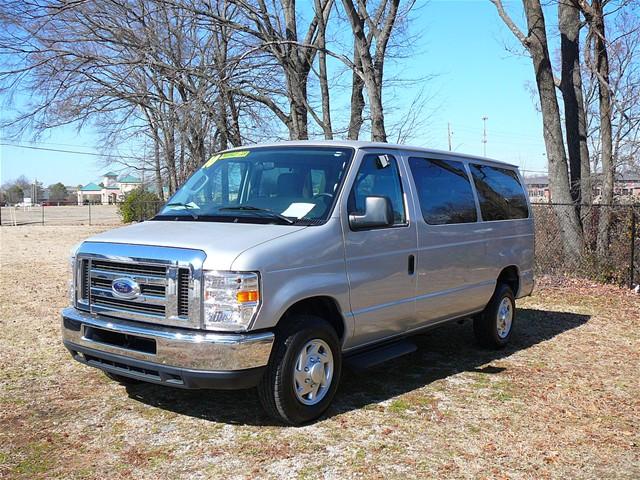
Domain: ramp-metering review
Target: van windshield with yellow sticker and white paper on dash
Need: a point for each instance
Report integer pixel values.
(283, 185)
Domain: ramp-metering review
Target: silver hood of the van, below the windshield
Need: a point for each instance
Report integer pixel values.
(221, 242)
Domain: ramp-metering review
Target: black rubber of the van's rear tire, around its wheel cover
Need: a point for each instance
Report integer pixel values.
(485, 325)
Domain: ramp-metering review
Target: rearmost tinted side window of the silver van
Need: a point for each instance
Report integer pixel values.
(500, 193)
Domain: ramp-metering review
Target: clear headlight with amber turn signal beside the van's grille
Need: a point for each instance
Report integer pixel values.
(231, 300)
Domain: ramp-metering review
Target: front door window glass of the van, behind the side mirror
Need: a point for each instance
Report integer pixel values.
(379, 179)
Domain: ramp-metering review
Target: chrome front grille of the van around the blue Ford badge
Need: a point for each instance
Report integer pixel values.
(167, 289)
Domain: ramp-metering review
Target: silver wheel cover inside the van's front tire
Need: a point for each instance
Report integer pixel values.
(313, 372)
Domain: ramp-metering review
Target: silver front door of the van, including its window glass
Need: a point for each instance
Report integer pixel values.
(381, 261)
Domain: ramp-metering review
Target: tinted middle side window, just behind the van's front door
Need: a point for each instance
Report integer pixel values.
(444, 191)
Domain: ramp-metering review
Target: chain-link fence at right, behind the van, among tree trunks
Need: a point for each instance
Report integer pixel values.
(621, 262)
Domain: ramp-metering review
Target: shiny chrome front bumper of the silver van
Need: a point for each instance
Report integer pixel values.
(174, 347)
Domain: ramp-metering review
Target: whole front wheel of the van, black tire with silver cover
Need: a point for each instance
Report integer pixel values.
(304, 371)
